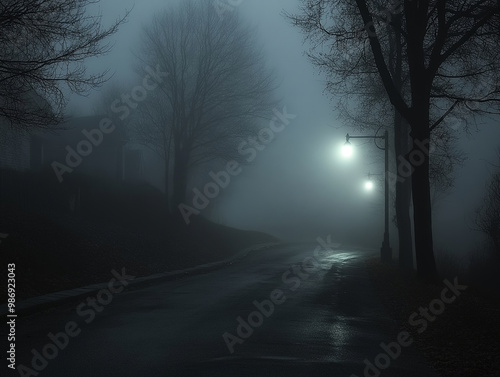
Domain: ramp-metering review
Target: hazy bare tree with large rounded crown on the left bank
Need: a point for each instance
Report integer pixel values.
(217, 90)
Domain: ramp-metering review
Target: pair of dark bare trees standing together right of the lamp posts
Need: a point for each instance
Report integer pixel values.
(424, 62)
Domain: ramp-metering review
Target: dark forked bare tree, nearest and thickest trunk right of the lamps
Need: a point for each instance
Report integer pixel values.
(451, 53)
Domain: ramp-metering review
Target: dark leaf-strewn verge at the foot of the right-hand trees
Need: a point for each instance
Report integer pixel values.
(463, 341)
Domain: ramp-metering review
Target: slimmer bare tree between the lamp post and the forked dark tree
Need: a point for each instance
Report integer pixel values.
(362, 103)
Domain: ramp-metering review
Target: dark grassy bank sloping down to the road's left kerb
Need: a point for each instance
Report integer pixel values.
(59, 252)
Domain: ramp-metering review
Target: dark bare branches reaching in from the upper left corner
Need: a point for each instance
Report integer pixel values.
(44, 45)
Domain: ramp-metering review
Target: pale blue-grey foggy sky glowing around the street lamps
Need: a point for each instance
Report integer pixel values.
(299, 186)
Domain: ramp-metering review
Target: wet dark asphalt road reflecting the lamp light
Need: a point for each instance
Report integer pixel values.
(322, 323)
